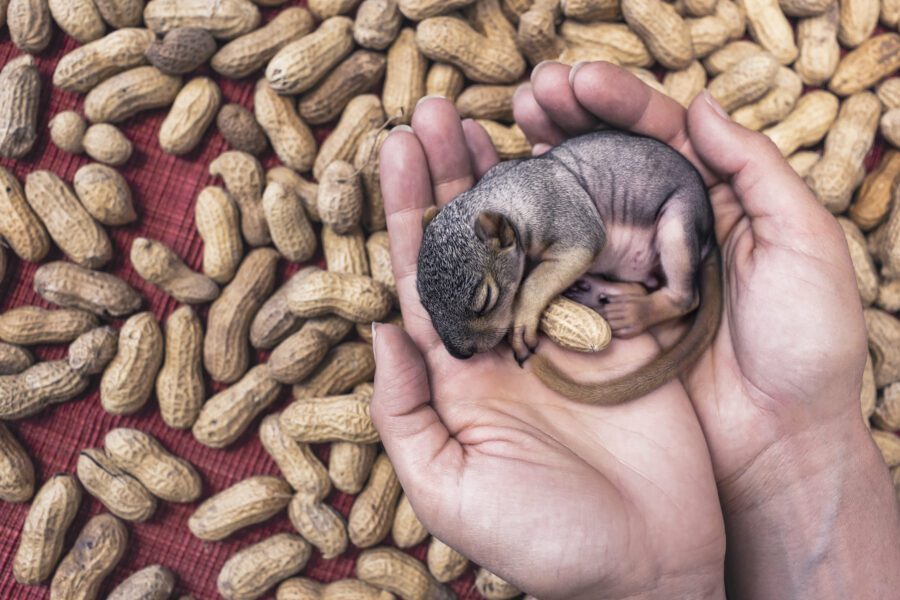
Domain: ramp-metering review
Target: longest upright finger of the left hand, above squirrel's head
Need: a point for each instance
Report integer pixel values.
(440, 132)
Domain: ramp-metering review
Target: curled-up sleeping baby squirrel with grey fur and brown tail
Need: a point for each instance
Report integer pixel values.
(613, 204)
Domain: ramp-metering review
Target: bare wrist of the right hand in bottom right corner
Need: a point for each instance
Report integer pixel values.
(813, 515)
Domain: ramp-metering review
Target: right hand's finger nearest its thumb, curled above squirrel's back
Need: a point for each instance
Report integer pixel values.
(622, 100)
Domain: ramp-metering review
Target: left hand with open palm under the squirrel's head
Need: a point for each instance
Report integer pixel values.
(563, 500)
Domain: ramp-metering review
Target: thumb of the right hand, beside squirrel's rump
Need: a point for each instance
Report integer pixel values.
(764, 182)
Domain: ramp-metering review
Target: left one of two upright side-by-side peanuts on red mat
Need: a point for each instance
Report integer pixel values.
(128, 380)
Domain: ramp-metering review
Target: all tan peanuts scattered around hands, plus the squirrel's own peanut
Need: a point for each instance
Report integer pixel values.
(316, 66)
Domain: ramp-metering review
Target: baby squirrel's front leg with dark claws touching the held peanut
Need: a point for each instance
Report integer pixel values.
(556, 272)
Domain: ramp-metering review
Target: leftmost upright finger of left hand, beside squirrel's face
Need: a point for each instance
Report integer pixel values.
(406, 188)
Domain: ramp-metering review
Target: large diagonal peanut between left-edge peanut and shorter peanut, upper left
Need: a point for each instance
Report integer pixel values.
(68, 223)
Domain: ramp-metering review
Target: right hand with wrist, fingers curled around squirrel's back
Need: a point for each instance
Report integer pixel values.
(777, 393)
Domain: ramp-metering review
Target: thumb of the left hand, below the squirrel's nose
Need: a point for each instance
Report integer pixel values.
(421, 449)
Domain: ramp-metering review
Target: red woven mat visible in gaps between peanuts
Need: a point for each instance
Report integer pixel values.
(164, 190)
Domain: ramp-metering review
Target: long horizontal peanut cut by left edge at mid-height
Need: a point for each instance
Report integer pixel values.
(32, 325)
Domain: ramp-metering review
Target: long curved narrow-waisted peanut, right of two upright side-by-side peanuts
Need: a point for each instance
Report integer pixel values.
(226, 348)
